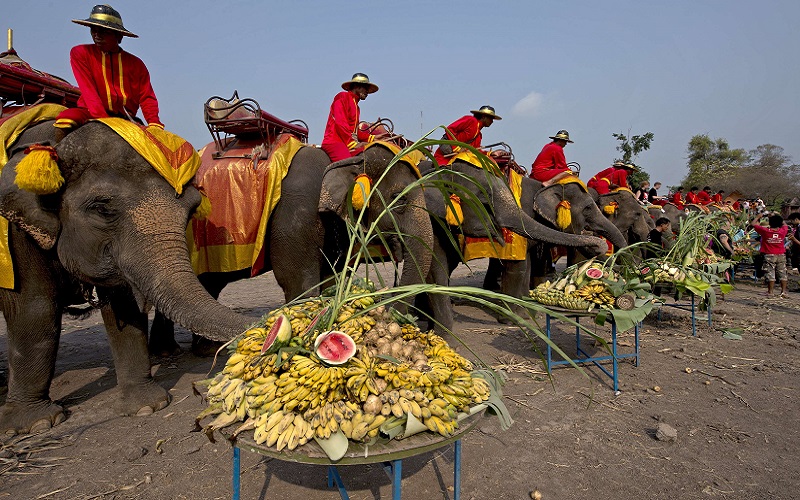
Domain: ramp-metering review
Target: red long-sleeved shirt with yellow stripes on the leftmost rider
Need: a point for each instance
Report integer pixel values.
(113, 84)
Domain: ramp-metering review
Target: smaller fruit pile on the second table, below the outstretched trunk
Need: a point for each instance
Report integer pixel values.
(582, 289)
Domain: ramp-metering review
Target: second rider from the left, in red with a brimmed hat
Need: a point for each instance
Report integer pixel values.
(343, 138)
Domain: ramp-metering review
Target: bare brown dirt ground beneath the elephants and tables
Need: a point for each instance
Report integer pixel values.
(733, 406)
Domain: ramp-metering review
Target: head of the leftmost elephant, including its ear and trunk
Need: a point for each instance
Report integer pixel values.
(117, 223)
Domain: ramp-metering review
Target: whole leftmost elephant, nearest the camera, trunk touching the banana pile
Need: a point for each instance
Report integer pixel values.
(115, 226)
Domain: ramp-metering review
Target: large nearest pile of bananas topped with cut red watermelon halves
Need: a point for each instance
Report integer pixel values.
(291, 380)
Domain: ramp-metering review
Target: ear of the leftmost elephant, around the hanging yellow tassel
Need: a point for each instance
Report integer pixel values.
(34, 214)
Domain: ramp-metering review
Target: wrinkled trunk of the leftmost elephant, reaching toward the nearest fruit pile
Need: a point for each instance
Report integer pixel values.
(167, 280)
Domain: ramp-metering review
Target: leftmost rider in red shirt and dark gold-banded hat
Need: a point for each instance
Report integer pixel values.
(113, 83)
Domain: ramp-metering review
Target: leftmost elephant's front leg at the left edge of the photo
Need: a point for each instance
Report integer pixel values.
(34, 326)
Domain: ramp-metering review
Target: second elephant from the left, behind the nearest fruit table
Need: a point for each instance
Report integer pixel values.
(306, 233)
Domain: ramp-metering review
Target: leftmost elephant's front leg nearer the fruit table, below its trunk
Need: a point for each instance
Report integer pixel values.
(127, 334)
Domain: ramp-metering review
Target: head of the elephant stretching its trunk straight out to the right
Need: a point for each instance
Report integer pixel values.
(493, 193)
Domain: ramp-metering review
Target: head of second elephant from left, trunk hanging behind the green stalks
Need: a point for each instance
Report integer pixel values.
(397, 204)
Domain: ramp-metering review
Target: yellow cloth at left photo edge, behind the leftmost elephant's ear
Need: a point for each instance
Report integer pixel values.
(10, 130)
